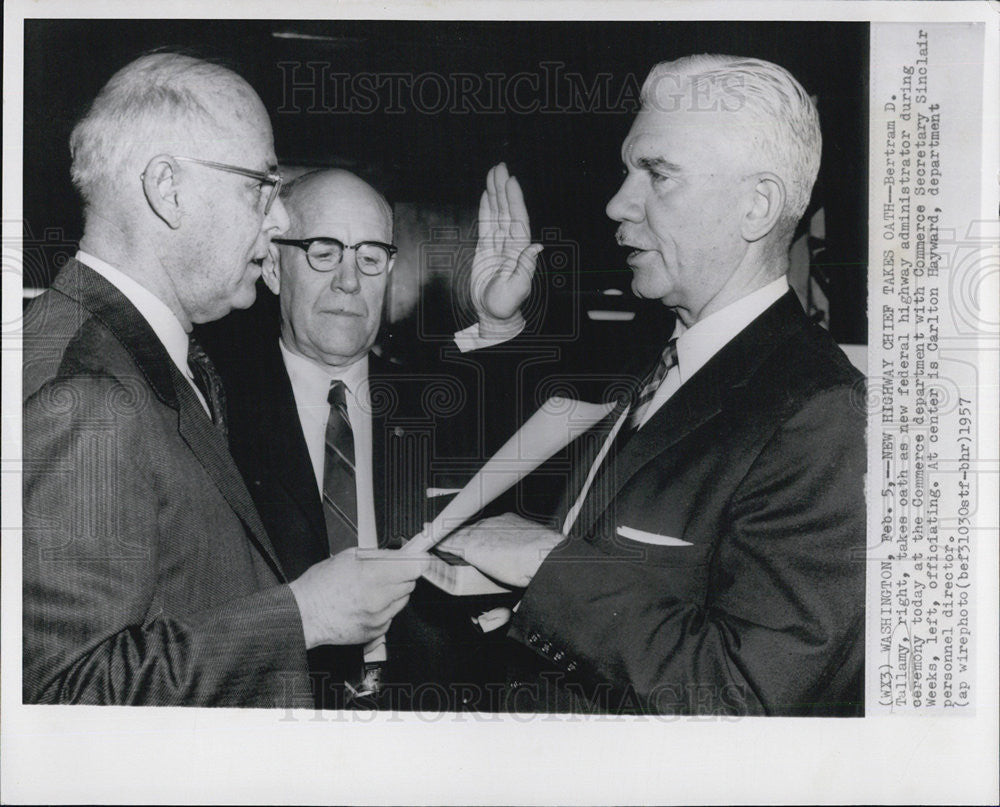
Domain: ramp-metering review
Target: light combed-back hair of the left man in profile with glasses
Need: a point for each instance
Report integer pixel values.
(157, 98)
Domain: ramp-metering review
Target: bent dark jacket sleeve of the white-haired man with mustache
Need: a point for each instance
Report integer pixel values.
(783, 613)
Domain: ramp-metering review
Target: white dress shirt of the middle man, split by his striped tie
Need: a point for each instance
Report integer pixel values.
(311, 387)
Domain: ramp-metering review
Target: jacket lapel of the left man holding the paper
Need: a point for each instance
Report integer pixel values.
(122, 318)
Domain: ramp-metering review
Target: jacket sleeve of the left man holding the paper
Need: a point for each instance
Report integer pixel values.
(95, 630)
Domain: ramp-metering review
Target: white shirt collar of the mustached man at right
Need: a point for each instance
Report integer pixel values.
(699, 343)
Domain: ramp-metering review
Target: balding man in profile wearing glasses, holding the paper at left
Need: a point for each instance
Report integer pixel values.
(148, 575)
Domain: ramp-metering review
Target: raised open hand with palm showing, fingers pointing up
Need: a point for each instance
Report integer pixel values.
(505, 259)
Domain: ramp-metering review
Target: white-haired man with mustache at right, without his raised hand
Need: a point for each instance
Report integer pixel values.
(712, 561)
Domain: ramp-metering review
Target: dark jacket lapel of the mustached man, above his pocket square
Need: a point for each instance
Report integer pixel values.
(695, 403)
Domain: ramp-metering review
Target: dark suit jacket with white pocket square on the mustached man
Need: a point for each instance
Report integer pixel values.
(756, 464)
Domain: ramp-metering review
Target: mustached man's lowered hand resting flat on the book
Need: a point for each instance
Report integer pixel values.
(508, 547)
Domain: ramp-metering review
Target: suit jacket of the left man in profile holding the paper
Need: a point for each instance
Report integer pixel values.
(148, 576)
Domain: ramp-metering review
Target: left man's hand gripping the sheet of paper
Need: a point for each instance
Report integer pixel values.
(352, 597)
